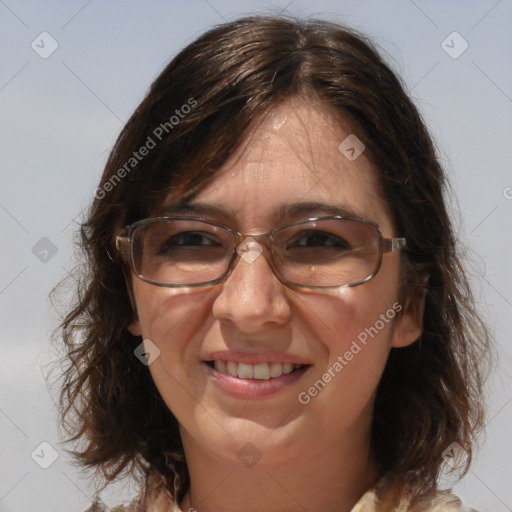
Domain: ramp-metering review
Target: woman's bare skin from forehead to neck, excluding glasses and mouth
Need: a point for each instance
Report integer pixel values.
(314, 456)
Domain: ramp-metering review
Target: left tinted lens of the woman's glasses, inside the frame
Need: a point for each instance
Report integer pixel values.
(181, 252)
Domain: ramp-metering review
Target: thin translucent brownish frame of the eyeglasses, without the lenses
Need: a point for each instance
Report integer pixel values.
(265, 239)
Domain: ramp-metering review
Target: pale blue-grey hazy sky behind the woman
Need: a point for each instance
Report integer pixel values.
(60, 114)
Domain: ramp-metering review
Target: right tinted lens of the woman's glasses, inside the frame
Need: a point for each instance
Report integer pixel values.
(327, 252)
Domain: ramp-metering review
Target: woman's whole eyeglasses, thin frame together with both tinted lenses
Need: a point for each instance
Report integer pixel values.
(321, 252)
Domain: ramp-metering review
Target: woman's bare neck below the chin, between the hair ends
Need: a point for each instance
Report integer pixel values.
(331, 481)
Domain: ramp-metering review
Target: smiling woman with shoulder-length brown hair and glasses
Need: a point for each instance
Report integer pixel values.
(273, 315)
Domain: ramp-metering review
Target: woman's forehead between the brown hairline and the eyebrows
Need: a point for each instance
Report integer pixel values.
(293, 155)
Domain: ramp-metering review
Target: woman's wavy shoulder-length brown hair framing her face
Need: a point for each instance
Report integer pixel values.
(431, 392)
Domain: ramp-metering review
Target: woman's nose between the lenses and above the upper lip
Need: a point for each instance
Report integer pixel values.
(252, 297)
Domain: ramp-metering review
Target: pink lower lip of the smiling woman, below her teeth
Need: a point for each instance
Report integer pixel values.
(253, 388)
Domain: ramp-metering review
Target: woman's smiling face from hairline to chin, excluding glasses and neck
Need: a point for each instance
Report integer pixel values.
(340, 338)
